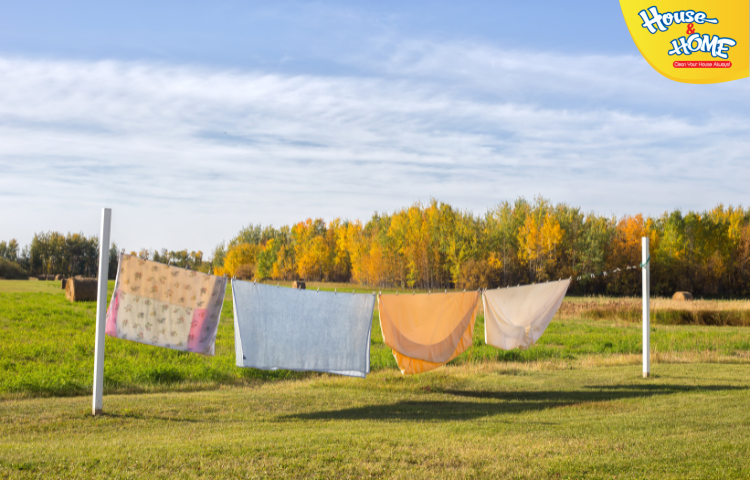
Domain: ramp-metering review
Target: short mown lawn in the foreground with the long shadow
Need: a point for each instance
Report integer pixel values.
(521, 421)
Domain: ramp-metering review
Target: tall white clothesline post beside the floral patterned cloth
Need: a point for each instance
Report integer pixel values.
(101, 311)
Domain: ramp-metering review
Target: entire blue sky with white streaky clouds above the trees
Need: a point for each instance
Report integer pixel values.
(193, 119)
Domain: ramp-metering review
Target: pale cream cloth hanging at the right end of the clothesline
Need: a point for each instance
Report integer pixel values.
(517, 316)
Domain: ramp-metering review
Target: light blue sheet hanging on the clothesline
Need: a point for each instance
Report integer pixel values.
(289, 329)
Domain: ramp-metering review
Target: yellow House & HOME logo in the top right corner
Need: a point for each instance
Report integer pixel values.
(692, 42)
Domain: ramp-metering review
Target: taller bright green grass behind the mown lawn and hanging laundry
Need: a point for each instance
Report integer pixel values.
(49, 351)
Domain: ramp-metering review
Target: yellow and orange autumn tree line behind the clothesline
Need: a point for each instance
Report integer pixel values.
(435, 245)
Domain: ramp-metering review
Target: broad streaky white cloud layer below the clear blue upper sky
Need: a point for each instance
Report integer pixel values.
(187, 155)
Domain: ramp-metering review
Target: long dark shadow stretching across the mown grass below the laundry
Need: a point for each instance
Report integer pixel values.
(500, 403)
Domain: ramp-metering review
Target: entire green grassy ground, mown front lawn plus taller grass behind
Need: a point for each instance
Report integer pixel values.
(572, 406)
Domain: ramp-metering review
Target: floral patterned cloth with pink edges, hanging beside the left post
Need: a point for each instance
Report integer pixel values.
(165, 306)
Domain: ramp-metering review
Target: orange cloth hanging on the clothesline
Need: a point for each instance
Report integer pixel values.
(427, 331)
